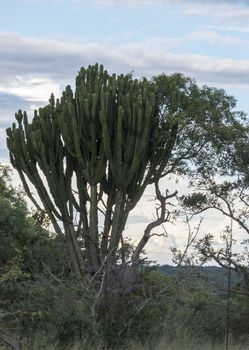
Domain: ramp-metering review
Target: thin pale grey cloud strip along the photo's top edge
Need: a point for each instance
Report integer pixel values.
(232, 13)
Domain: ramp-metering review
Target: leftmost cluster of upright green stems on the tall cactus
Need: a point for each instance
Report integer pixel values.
(37, 146)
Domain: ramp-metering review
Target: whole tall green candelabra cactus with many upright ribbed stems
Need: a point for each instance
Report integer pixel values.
(105, 136)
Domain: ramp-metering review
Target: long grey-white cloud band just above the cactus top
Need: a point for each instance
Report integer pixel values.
(59, 61)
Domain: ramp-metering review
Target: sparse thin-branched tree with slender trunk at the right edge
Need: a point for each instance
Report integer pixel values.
(230, 198)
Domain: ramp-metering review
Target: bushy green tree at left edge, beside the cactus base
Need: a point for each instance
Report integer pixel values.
(29, 258)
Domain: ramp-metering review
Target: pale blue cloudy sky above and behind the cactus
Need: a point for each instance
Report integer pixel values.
(43, 43)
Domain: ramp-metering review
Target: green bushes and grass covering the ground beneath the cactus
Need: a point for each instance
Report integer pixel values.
(43, 306)
